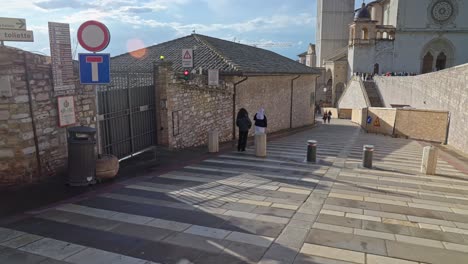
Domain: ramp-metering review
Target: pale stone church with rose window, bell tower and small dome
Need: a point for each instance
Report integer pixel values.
(412, 36)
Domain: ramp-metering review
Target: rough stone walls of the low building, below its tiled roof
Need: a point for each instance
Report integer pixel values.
(189, 110)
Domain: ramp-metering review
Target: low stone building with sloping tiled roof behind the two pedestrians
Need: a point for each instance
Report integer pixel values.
(249, 77)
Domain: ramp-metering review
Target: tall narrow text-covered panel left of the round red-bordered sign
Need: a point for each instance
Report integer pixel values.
(61, 56)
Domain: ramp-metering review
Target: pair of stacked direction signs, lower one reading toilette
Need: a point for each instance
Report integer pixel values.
(14, 29)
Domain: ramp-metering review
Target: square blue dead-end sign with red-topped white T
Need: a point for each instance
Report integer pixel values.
(94, 68)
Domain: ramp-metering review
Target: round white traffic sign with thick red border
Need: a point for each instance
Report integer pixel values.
(93, 36)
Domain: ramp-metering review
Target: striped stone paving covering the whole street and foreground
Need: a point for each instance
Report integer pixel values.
(236, 208)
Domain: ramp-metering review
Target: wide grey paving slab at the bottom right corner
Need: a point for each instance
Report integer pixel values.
(424, 254)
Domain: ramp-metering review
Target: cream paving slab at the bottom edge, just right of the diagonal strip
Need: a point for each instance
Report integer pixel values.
(334, 253)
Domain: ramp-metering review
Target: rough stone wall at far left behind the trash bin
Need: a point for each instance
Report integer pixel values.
(20, 156)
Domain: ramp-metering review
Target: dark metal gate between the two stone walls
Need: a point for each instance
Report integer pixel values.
(127, 118)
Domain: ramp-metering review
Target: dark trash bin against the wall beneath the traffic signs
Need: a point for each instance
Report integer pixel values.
(81, 156)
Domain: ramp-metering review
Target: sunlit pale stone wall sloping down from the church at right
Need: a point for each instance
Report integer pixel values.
(444, 90)
